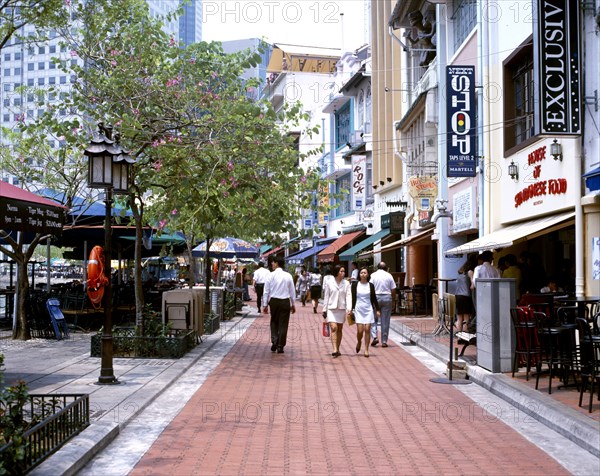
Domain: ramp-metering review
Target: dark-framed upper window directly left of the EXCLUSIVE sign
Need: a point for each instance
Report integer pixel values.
(519, 98)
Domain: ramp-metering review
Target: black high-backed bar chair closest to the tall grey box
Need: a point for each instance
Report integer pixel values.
(527, 346)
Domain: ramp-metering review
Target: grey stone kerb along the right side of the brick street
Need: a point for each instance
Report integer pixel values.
(564, 420)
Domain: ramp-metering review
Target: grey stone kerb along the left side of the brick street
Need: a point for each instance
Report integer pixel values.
(75, 454)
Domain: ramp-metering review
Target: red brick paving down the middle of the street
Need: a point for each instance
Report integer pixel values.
(304, 412)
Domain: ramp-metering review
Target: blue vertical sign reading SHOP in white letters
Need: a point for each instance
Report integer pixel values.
(461, 132)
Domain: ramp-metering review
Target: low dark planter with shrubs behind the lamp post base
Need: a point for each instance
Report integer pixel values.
(127, 344)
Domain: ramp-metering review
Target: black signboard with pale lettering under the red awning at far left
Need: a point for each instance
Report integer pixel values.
(33, 217)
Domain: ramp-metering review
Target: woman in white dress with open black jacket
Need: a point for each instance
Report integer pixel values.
(364, 305)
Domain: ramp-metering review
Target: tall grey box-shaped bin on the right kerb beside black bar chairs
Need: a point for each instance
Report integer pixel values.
(495, 333)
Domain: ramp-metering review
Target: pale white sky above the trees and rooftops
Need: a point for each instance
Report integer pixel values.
(297, 22)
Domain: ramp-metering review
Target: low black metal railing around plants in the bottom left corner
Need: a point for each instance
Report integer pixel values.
(56, 419)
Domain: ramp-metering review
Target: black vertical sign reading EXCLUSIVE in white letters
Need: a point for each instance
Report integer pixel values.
(557, 67)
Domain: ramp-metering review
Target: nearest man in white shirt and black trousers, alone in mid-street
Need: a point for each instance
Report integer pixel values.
(280, 297)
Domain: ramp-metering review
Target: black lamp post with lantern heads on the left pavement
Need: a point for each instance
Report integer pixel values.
(108, 169)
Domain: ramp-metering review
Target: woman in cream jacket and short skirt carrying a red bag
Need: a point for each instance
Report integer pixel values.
(335, 306)
